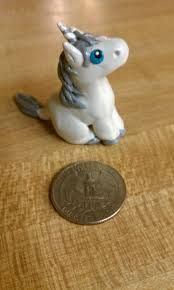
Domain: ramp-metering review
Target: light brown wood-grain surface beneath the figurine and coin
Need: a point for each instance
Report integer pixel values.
(39, 249)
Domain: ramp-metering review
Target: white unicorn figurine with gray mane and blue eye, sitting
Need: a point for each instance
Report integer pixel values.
(84, 111)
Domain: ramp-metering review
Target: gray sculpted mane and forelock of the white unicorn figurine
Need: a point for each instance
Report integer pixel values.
(69, 94)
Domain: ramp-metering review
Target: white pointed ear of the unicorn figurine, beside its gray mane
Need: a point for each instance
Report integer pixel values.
(73, 55)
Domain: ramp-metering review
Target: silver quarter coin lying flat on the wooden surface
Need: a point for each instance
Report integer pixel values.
(87, 192)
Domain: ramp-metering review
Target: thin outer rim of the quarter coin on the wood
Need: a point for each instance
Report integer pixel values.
(58, 210)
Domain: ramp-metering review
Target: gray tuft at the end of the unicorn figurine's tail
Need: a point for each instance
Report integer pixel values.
(28, 105)
